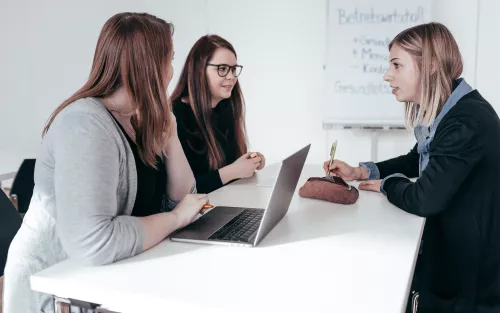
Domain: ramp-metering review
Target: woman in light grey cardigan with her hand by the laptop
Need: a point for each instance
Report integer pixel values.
(111, 173)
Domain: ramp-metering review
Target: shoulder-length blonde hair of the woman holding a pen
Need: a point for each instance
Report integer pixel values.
(439, 61)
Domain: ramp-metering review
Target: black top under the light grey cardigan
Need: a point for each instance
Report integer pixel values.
(151, 183)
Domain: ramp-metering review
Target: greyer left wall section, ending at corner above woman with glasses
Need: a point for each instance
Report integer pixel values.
(47, 51)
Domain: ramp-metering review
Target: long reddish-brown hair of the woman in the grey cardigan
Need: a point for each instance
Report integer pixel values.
(132, 51)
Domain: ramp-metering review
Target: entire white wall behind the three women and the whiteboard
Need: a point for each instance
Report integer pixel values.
(47, 48)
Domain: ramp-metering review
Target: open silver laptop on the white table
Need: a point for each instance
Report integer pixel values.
(247, 226)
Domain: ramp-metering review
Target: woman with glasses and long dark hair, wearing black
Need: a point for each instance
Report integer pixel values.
(209, 107)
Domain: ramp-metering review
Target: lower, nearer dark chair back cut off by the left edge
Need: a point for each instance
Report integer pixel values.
(10, 222)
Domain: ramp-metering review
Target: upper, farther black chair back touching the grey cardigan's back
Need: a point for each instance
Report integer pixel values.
(23, 184)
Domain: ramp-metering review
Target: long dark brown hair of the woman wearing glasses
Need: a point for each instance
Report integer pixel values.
(193, 83)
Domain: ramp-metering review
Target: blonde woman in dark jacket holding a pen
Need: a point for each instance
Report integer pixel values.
(457, 165)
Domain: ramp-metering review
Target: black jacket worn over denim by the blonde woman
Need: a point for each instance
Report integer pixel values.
(459, 194)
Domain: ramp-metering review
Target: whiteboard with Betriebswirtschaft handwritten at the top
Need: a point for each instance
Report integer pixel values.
(357, 56)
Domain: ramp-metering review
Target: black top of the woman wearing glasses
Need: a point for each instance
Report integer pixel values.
(195, 147)
